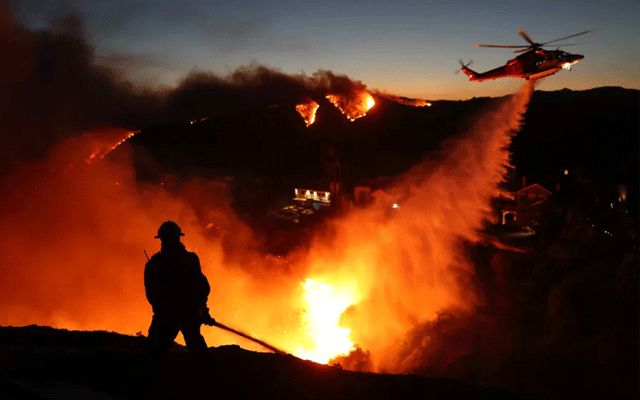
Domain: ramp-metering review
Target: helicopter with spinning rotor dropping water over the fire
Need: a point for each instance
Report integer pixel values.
(534, 63)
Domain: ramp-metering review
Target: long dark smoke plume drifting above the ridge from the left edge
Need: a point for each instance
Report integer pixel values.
(52, 87)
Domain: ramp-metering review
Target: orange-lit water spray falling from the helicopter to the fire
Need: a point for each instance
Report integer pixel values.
(406, 265)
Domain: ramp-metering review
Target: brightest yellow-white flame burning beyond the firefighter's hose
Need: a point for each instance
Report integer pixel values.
(325, 304)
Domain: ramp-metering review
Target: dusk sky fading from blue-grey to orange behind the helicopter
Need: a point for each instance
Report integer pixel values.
(405, 48)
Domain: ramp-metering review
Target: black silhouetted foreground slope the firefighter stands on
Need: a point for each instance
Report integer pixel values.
(45, 363)
